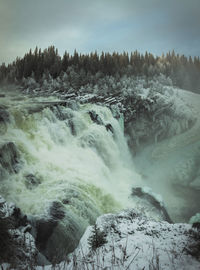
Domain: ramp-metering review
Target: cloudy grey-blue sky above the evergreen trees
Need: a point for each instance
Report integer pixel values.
(156, 26)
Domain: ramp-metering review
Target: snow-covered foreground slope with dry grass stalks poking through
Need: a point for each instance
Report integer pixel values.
(135, 242)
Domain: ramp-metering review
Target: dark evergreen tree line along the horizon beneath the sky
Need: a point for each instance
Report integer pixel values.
(183, 71)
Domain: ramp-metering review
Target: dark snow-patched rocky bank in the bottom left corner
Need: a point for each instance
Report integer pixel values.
(17, 246)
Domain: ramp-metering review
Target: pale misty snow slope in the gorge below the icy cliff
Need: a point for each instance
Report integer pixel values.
(171, 166)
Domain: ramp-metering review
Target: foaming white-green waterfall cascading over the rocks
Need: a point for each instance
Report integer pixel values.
(71, 160)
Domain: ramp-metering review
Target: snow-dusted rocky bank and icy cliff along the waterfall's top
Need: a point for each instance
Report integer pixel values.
(152, 111)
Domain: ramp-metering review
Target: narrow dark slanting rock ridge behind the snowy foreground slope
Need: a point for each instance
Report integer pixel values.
(138, 192)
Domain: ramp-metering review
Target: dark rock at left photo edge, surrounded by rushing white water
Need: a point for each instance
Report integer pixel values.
(9, 157)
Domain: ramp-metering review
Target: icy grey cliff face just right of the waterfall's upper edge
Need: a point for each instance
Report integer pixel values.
(156, 117)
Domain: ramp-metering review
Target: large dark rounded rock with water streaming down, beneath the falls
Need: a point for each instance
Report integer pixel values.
(56, 234)
